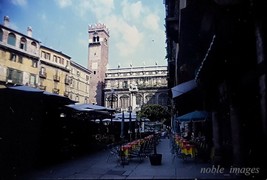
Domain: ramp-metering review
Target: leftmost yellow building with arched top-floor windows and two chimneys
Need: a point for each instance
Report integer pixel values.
(19, 56)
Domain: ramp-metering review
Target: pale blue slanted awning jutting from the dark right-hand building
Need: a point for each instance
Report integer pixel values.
(183, 88)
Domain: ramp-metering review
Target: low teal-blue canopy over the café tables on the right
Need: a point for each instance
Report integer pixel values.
(194, 116)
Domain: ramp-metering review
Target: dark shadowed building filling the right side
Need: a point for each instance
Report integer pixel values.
(221, 45)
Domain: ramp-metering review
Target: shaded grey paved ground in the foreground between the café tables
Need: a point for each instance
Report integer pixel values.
(99, 166)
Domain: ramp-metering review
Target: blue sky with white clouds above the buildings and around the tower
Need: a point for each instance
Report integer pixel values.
(137, 32)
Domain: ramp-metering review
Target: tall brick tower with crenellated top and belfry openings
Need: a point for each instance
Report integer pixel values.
(97, 61)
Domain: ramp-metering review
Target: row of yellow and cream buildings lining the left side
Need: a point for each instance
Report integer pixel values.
(24, 61)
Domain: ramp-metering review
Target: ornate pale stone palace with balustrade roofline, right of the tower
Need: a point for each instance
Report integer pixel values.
(130, 88)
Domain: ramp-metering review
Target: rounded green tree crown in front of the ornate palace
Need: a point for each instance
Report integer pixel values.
(154, 112)
